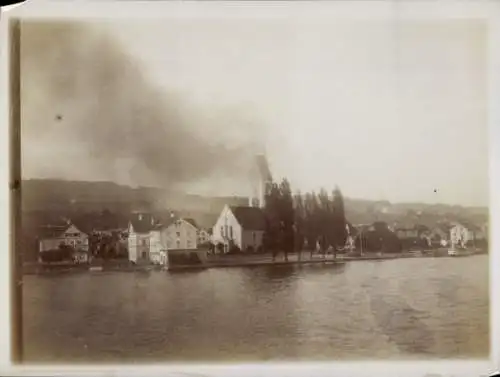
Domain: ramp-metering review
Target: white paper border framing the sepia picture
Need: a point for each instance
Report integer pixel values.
(353, 10)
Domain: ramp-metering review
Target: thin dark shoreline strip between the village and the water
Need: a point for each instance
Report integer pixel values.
(224, 262)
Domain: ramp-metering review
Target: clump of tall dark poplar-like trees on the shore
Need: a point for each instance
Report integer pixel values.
(303, 221)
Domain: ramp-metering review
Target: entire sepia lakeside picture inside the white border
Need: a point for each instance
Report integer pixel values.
(252, 189)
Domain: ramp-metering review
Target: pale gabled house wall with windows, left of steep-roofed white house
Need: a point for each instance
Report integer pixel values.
(180, 235)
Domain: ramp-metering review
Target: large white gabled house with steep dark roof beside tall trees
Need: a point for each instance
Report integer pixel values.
(240, 225)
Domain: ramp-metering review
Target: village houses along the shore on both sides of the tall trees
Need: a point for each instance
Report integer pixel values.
(149, 238)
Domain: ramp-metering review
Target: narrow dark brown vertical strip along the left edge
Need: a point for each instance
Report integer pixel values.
(15, 193)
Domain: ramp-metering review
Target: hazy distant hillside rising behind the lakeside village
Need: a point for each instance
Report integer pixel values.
(47, 201)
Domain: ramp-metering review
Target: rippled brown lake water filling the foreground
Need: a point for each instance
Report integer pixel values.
(395, 309)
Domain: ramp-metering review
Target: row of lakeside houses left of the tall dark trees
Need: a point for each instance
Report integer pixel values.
(148, 238)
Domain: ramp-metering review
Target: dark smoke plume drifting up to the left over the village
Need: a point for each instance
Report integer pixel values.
(88, 109)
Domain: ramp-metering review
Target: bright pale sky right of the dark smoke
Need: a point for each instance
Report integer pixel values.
(386, 111)
